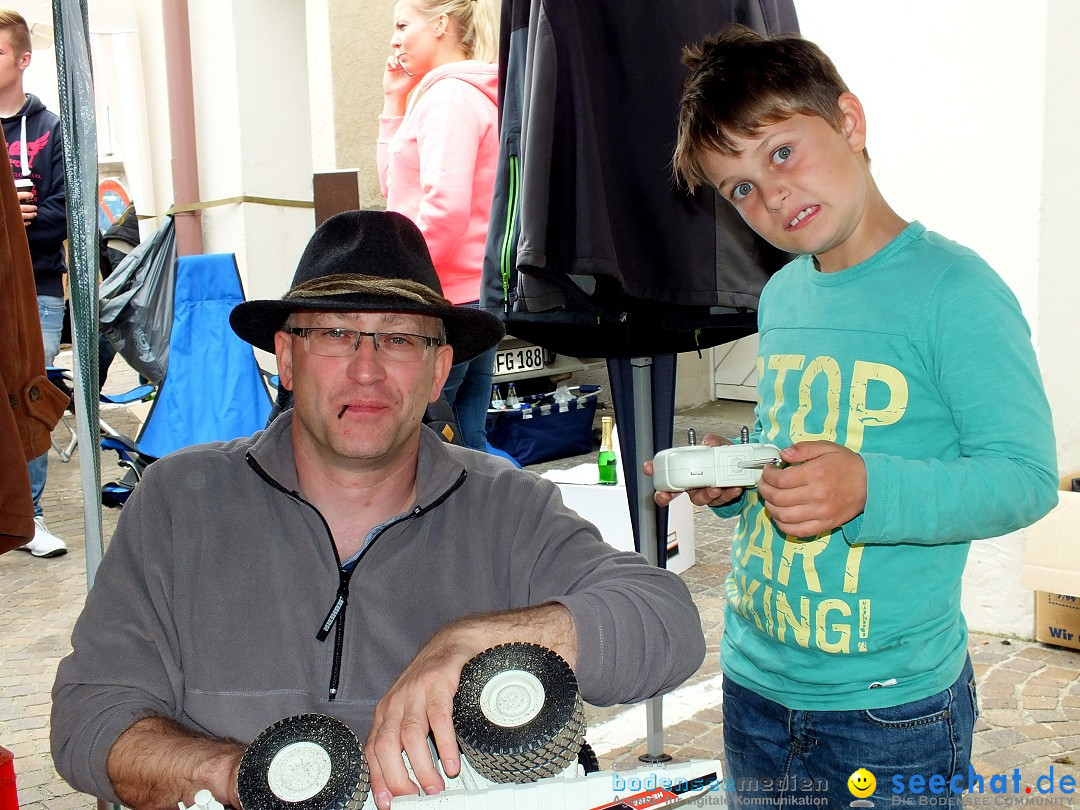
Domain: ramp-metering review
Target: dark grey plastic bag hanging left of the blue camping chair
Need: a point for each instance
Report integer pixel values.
(137, 304)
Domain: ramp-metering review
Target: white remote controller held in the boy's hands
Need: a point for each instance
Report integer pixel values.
(727, 466)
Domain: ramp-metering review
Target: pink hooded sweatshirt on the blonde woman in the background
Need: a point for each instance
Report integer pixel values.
(437, 167)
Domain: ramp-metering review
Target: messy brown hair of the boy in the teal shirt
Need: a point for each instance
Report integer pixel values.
(741, 82)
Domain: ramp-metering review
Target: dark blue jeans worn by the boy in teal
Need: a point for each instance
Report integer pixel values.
(774, 752)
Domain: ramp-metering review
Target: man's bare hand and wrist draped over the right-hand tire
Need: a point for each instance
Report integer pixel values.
(422, 700)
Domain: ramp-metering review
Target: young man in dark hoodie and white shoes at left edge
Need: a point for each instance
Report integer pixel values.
(33, 134)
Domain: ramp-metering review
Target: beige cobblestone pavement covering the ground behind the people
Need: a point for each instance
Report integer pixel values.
(1030, 693)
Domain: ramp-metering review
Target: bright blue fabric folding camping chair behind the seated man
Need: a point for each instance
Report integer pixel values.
(213, 389)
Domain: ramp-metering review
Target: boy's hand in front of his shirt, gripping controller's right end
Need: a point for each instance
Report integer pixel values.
(825, 487)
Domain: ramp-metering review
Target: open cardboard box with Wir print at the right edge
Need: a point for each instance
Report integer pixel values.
(1051, 569)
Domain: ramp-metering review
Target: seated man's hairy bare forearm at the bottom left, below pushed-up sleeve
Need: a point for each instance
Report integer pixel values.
(158, 763)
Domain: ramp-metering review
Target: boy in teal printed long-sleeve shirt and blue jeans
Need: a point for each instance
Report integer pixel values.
(897, 373)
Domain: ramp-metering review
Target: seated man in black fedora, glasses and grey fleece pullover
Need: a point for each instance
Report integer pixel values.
(345, 561)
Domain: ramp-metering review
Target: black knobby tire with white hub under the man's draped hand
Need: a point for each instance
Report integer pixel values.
(518, 714)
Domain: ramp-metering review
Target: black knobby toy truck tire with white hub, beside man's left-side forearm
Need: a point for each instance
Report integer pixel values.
(307, 762)
